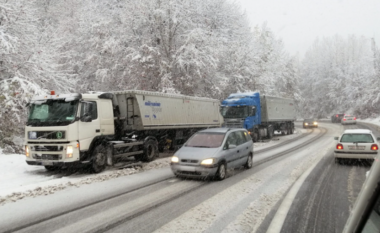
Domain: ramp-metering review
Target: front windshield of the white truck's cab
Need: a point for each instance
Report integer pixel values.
(52, 113)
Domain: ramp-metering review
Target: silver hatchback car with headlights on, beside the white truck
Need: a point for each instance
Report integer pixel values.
(208, 153)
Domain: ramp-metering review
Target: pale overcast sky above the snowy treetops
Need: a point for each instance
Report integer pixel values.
(300, 22)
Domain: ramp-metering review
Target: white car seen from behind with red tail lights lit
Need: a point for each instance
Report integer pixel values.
(356, 144)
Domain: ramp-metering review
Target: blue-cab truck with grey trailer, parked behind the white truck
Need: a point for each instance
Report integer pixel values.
(261, 115)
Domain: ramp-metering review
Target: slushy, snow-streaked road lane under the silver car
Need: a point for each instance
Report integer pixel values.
(157, 201)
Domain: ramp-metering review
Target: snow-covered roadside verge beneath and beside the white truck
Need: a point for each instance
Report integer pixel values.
(18, 180)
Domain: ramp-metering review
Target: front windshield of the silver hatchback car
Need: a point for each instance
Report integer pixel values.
(207, 140)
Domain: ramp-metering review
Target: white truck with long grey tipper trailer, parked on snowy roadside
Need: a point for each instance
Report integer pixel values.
(96, 129)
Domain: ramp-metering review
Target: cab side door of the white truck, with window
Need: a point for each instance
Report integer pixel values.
(89, 124)
